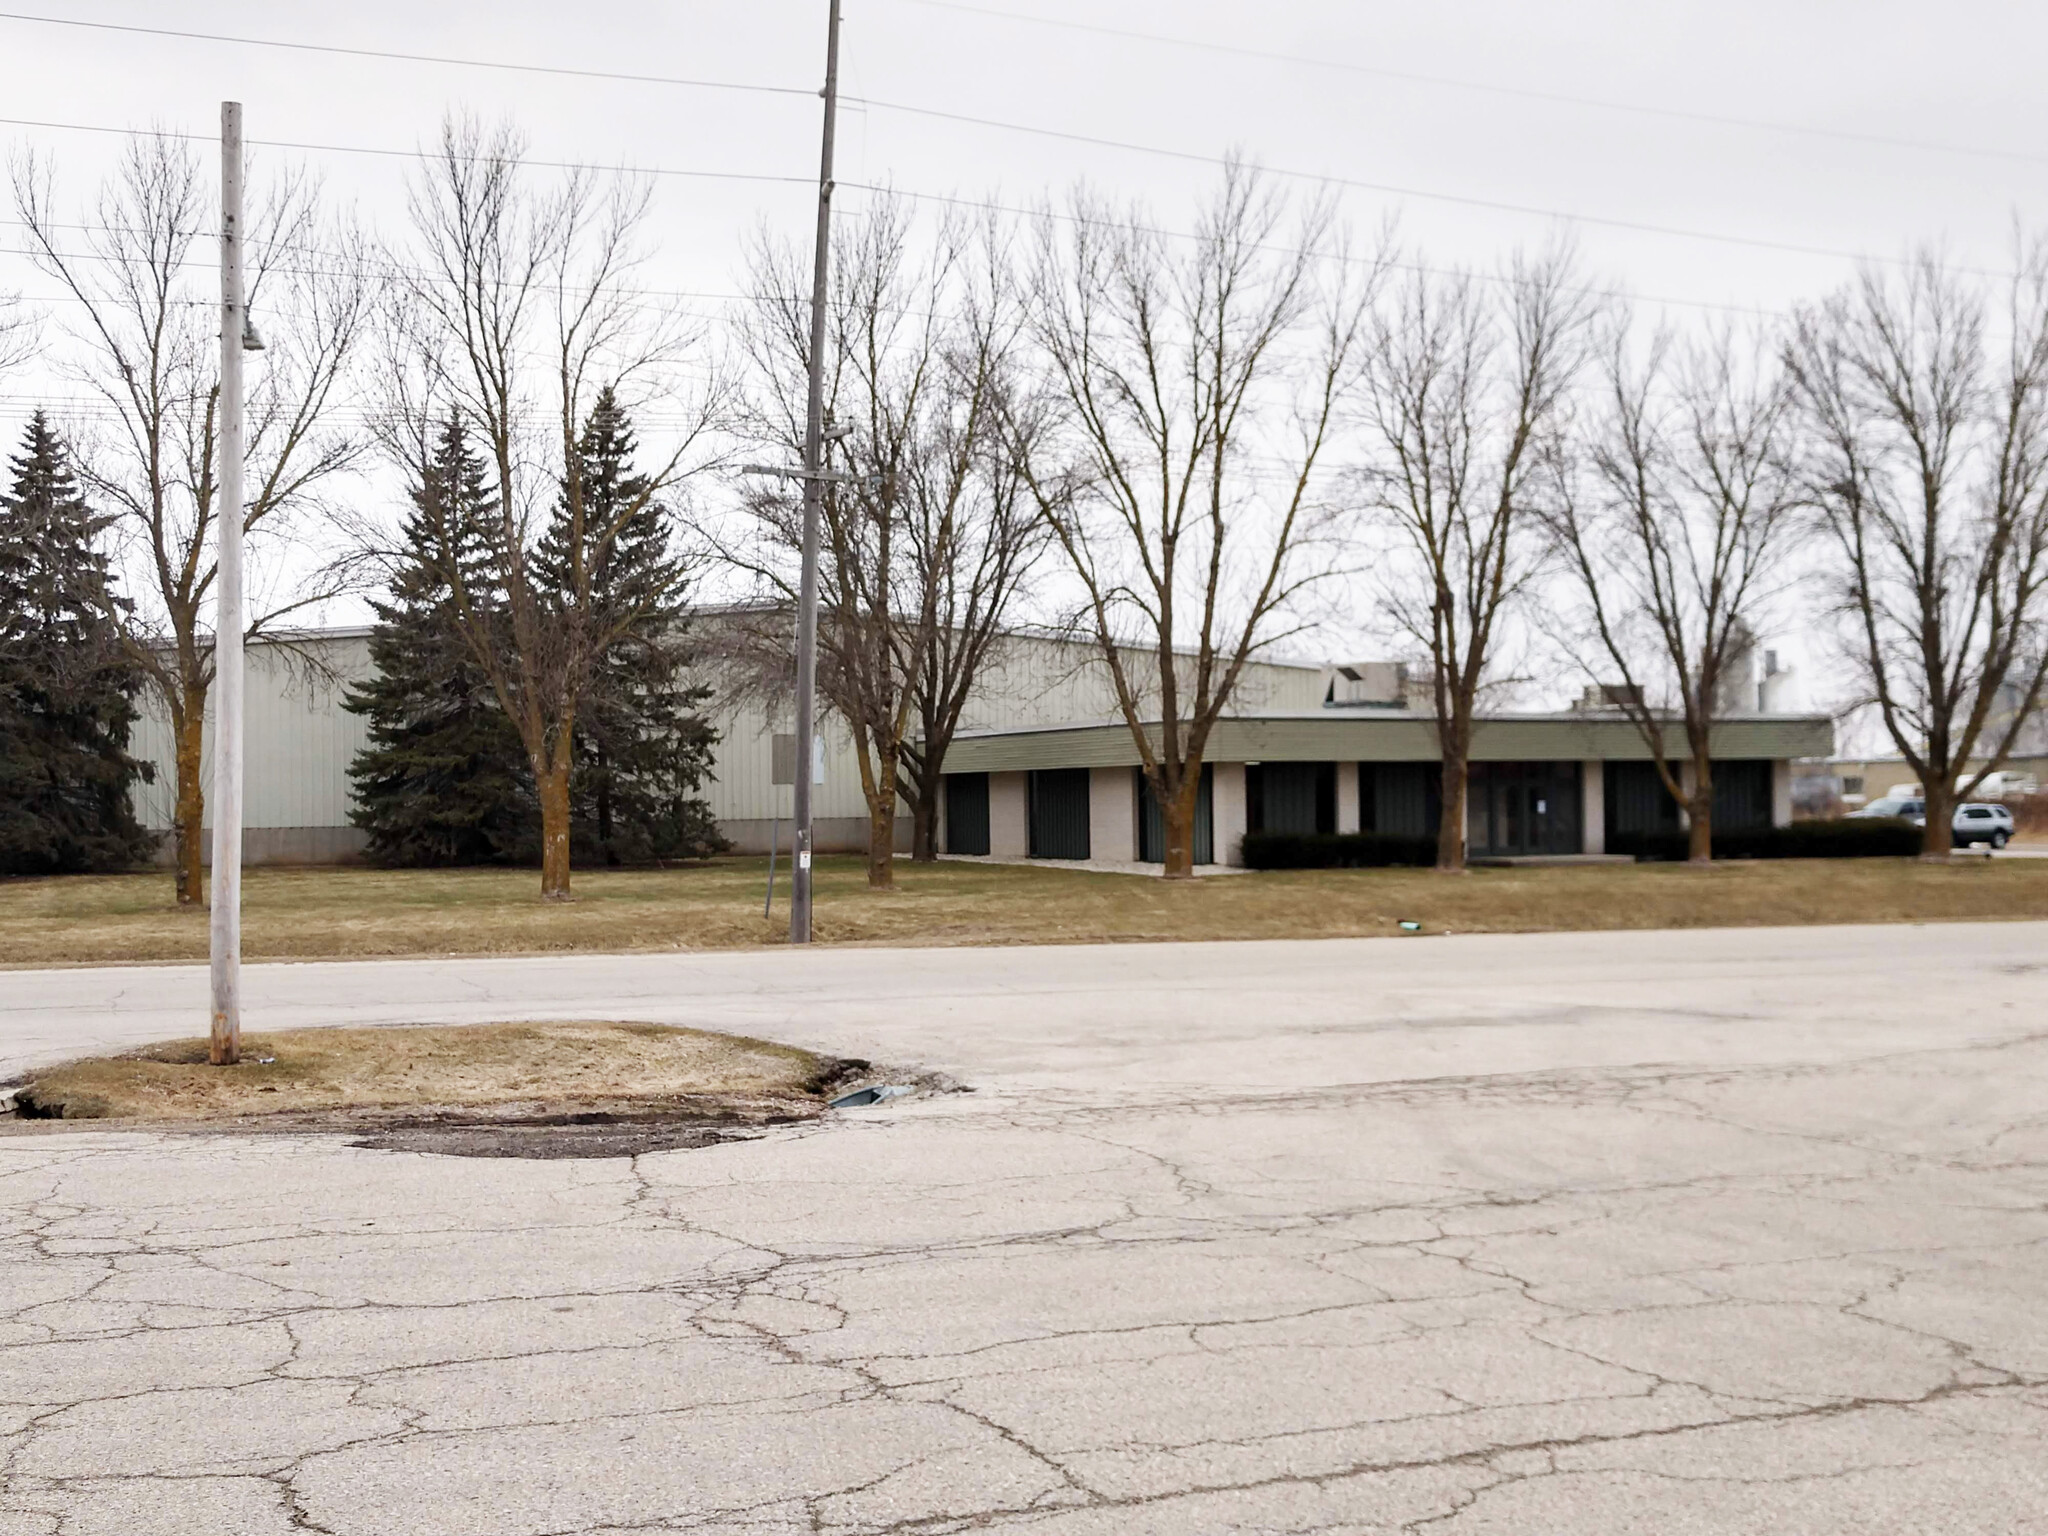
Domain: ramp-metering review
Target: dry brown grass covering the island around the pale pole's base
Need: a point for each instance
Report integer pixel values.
(318, 1072)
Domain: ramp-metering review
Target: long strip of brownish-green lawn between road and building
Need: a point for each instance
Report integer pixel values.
(359, 912)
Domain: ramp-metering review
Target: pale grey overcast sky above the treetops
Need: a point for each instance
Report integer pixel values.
(1895, 124)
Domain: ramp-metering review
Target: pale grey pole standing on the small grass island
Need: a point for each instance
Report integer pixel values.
(224, 1043)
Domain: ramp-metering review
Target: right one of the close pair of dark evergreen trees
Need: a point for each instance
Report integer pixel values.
(642, 744)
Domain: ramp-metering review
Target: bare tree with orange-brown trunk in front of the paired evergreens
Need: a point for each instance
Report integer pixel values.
(513, 310)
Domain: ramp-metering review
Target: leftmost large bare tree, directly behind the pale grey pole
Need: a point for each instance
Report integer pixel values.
(144, 335)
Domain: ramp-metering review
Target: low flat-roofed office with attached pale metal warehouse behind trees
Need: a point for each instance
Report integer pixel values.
(1046, 769)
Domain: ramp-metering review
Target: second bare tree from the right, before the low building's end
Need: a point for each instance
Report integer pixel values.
(1674, 531)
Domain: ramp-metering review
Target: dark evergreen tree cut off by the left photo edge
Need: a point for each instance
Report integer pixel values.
(67, 683)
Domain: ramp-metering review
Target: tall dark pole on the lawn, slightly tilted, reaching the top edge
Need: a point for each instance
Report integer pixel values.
(814, 488)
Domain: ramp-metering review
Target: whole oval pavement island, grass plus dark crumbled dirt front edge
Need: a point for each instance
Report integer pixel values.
(486, 1091)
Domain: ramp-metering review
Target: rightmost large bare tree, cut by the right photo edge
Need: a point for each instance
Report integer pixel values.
(1930, 472)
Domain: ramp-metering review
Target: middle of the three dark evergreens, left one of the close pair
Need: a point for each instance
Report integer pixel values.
(445, 779)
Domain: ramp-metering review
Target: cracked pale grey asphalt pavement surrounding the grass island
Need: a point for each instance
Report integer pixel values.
(1725, 1232)
